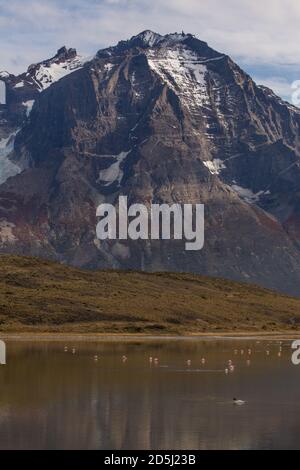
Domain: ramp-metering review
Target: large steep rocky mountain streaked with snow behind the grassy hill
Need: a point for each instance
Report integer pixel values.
(160, 119)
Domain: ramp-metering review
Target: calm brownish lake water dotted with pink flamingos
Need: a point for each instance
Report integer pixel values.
(56, 399)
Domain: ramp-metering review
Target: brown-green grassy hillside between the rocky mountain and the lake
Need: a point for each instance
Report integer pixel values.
(38, 295)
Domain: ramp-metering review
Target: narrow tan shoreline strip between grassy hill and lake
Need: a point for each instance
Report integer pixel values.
(94, 337)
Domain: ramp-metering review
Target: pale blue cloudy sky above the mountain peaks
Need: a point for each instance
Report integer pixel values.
(262, 36)
